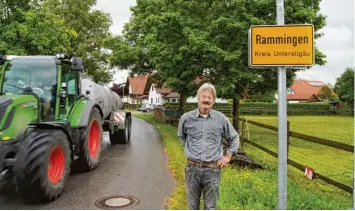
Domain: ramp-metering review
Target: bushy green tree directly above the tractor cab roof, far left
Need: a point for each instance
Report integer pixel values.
(34, 31)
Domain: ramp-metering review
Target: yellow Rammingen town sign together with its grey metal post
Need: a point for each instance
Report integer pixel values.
(282, 46)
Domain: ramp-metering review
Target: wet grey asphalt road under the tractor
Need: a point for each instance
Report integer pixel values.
(137, 169)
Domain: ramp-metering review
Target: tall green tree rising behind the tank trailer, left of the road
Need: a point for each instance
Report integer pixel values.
(92, 29)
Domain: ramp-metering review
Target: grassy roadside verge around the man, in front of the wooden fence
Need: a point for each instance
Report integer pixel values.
(243, 188)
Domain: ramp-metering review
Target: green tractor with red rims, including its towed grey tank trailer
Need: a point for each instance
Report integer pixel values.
(51, 121)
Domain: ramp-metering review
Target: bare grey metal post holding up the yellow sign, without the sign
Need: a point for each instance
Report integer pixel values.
(282, 122)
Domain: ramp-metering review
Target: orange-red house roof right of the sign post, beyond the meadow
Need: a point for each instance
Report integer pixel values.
(304, 91)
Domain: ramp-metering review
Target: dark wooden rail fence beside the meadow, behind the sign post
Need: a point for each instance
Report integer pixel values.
(301, 167)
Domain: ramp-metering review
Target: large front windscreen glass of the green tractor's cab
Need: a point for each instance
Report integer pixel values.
(34, 76)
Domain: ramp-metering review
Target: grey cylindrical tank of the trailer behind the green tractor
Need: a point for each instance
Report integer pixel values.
(103, 96)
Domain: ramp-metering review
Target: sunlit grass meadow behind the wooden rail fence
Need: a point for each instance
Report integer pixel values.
(333, 163)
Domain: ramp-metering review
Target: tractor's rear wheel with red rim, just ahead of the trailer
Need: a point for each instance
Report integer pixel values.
(90, 144)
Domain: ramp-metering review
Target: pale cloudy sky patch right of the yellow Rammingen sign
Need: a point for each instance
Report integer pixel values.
(337, 43)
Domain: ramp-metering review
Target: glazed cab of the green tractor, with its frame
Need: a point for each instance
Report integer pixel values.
(52, 81)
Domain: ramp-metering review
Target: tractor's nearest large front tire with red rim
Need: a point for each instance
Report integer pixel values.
(42, 165)
